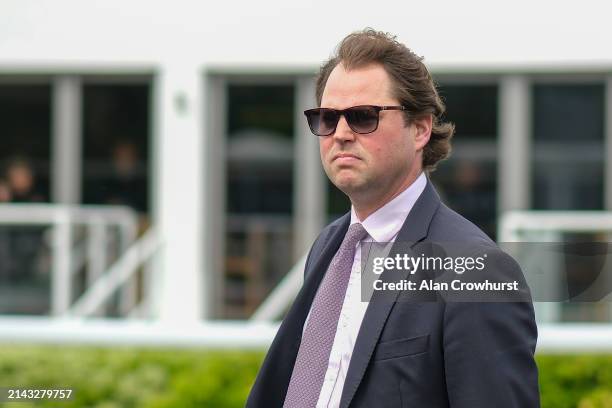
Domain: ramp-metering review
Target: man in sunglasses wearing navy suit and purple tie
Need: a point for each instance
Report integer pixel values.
(380, 131)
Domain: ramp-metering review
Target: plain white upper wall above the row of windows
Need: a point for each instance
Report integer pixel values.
(300, 33)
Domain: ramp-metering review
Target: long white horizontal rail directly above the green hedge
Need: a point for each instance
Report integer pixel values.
(552, 339)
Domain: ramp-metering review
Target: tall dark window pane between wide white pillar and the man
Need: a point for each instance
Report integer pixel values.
(260, 125)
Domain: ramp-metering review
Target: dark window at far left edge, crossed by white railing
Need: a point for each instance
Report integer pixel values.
(25, 115)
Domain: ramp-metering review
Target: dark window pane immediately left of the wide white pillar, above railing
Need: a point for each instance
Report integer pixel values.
(116, 128)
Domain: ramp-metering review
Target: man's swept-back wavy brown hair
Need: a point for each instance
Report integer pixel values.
(412, 85)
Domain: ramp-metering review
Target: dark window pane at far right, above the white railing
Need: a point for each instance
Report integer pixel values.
(568, 121)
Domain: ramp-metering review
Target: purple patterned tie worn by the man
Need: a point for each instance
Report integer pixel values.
(313, 356)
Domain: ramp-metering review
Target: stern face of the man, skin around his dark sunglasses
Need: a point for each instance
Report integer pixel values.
(373, 166)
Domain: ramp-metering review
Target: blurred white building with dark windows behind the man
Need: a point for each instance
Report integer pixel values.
(211, 97)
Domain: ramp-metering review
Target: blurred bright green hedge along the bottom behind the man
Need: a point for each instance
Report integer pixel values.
(163, 378)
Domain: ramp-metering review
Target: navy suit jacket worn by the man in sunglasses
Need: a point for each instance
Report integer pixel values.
(419, 354)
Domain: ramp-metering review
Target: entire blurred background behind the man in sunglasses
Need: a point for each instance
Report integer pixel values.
(159, 186)
